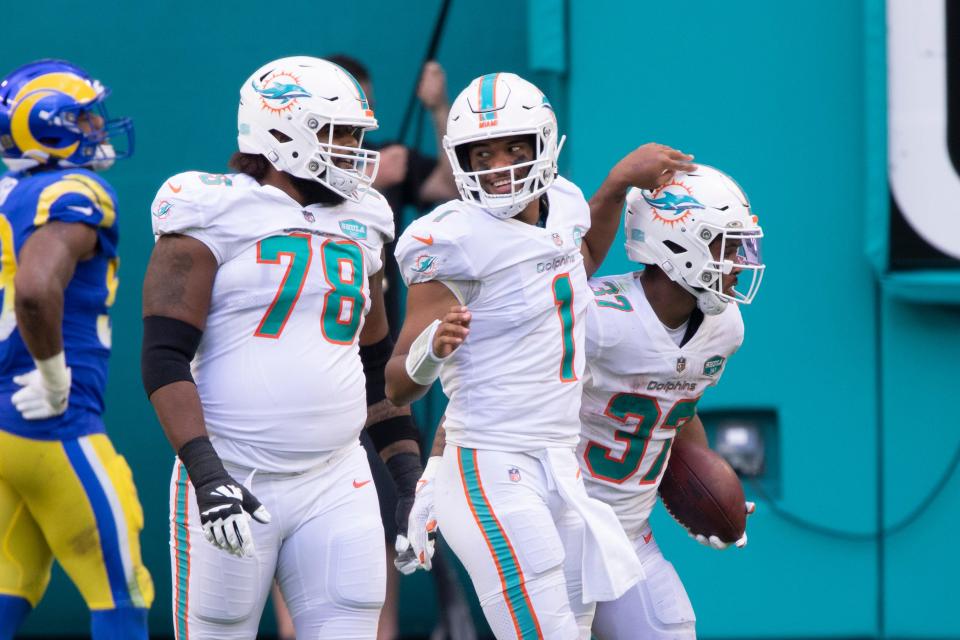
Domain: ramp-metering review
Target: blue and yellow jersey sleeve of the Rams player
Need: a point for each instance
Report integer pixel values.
(84, 198)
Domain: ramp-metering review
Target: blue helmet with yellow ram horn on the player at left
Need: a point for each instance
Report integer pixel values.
(53, 112)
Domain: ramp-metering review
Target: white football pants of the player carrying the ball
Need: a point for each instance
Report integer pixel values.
(656, 608)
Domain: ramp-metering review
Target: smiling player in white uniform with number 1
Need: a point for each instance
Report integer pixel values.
(508, 264)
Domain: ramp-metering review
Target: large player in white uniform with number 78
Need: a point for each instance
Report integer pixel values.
(269, 281)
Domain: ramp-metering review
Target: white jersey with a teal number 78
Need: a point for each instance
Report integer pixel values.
(278, 369)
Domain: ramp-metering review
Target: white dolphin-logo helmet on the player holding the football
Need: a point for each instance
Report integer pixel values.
(674, 226)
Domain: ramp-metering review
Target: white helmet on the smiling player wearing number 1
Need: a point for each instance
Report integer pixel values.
(493, 106)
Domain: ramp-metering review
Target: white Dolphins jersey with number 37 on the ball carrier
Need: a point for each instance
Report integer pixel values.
(640, 388)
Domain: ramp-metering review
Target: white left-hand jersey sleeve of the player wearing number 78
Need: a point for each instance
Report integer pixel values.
(190, 204)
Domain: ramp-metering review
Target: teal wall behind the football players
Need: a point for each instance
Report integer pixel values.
(787, 97)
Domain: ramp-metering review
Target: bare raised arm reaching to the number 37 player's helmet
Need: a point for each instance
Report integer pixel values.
(647, 167)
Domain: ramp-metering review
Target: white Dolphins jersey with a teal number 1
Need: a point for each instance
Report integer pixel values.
(515, 382)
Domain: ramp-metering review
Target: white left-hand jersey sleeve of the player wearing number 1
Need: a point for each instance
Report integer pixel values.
(432, 249)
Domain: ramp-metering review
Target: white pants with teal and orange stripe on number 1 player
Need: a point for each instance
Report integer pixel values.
(501, 514)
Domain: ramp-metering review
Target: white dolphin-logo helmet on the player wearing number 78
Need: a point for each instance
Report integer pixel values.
(284, 105)
